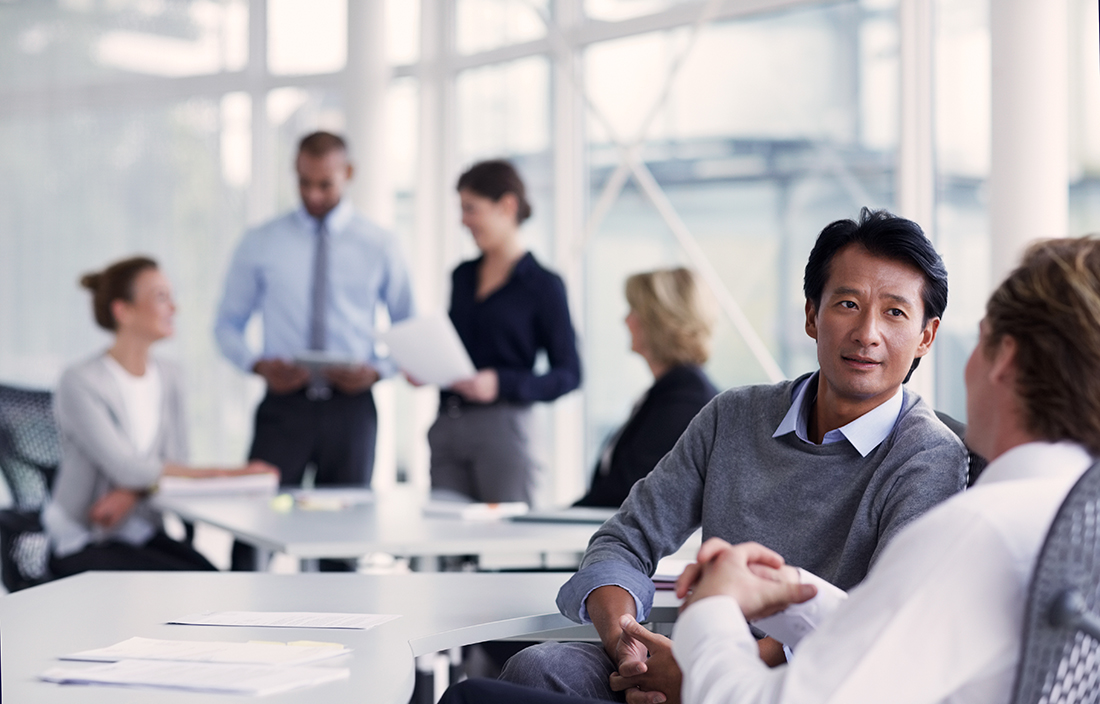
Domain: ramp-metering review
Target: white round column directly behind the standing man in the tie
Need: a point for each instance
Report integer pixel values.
(368, 79)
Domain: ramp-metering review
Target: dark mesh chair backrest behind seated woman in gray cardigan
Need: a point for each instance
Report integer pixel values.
(30, 449)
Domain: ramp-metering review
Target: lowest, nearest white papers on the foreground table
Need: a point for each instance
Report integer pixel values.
(199, 677)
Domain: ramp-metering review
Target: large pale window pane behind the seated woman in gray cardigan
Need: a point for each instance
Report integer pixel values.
(87, 188)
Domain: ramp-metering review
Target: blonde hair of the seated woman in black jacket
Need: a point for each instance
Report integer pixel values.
(676, 313)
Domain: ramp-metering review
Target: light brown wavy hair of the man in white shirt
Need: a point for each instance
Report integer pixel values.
(1051, 307)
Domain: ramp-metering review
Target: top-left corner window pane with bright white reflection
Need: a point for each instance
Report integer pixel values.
(42, 43)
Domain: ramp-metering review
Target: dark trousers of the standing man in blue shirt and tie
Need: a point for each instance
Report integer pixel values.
(336, 435)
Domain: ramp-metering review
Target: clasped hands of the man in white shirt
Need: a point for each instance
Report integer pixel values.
(753, 575)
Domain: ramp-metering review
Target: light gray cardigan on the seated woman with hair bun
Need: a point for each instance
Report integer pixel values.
(98, 456)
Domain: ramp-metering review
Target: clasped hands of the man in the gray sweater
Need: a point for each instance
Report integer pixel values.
(650, 680)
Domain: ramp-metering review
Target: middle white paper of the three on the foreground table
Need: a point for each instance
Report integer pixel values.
(255, 653)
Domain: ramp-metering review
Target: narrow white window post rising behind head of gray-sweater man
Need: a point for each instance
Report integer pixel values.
(916, 174)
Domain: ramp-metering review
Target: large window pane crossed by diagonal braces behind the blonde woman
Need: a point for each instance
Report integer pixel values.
(765, 137)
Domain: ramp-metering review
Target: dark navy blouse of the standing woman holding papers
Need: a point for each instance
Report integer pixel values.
(505, 332)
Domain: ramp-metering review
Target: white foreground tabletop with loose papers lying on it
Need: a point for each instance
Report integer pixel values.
(439, 611)
